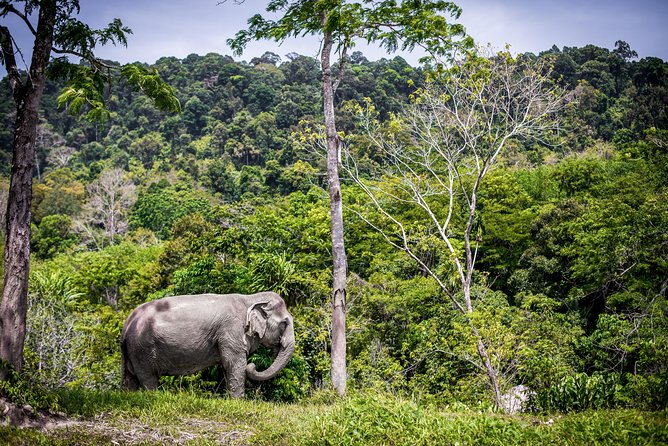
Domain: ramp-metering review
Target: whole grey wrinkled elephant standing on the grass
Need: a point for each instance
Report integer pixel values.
(180, 335)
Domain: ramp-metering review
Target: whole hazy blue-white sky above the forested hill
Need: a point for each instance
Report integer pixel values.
(182, 27)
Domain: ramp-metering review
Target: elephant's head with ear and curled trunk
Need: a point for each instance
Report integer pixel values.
(270, 323)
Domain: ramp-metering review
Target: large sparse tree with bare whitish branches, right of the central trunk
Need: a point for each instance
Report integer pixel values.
(437, 153)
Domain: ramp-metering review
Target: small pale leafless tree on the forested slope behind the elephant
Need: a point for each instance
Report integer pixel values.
(110, 198)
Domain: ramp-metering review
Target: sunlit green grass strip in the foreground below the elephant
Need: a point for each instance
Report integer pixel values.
(362, 419)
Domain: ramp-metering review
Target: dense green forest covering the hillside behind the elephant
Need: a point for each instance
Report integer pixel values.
(229, 196)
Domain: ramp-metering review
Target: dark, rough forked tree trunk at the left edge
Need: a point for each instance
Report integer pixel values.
(27, 96)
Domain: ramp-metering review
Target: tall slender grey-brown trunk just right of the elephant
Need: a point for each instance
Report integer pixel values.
(336, 209)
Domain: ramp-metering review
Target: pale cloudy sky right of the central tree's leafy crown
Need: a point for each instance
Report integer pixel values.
(534, 26)
